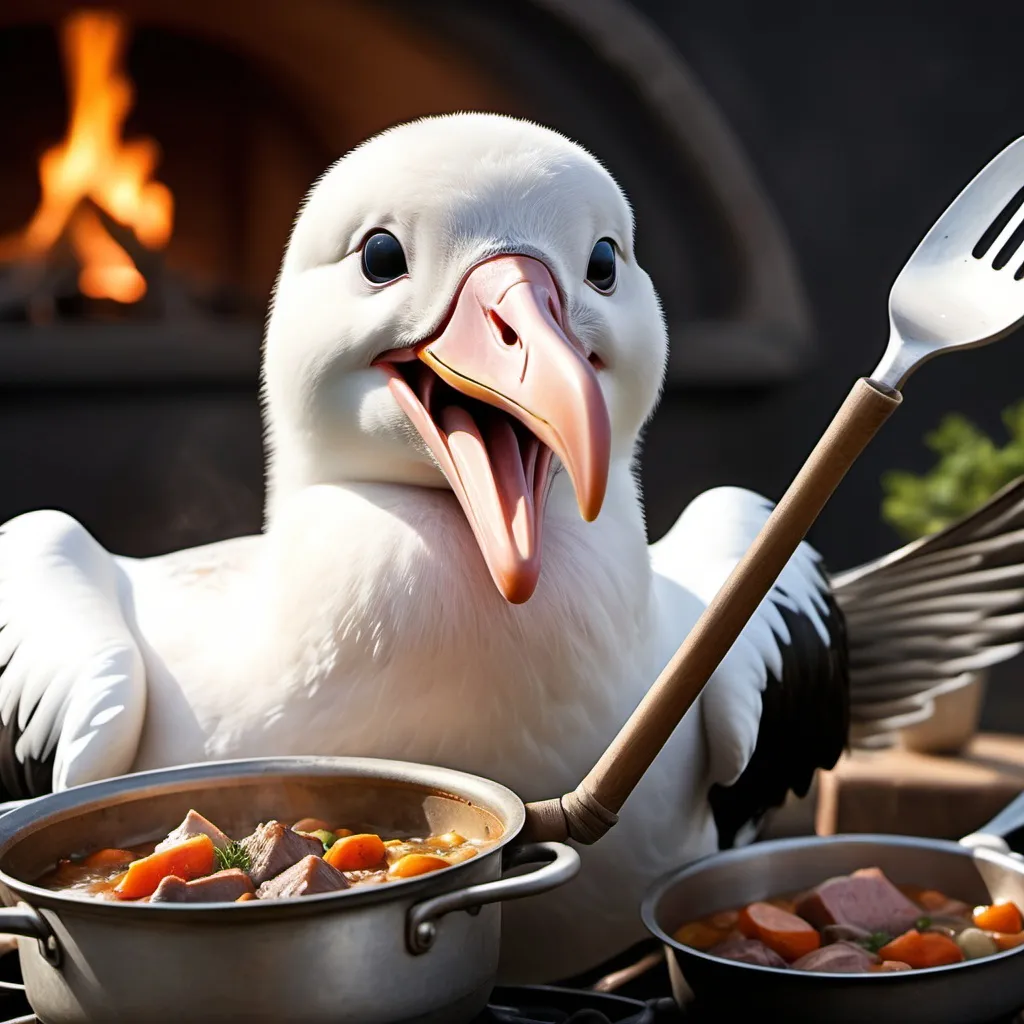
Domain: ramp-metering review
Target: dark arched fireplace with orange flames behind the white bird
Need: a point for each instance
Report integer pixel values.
(133, 302)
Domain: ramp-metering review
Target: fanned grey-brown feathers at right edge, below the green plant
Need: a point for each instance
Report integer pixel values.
(923, 620)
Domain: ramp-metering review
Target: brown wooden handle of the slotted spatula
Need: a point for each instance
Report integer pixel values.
(587, 814)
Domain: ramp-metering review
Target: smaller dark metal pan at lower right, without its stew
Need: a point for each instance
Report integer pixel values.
(978, 870)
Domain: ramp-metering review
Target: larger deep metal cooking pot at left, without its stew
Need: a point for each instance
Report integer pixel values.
(381, 955)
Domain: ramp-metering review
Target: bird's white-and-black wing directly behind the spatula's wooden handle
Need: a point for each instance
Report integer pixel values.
(778, 708)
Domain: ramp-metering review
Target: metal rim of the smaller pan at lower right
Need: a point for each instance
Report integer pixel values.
(655, 895)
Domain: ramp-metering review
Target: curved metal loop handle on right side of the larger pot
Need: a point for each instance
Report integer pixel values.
(561, 864)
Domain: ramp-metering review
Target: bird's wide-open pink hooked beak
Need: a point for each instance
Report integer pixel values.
(499, 391)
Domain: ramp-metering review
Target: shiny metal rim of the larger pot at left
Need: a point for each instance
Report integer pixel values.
(474, 790)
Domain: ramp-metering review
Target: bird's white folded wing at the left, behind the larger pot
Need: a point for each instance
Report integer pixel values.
(72, 679)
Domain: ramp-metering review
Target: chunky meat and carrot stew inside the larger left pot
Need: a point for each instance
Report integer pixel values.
(199, 864)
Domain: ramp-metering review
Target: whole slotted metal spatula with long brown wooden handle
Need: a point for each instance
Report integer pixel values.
(963, 287)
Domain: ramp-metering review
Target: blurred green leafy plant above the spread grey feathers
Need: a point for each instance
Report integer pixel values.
(970, 470)
